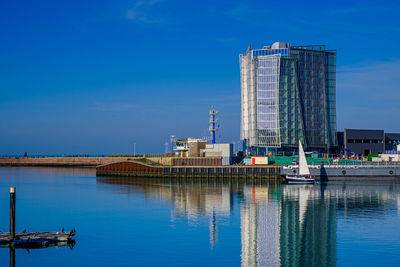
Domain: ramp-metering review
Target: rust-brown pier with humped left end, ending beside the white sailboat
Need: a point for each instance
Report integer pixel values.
(138, 169)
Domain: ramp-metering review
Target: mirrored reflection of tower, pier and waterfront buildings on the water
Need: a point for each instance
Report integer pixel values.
(280, 225)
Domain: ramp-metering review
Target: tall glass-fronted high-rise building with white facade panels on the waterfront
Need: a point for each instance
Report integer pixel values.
(288, 93)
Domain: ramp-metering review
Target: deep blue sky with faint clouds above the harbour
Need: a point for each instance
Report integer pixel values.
(92, 77)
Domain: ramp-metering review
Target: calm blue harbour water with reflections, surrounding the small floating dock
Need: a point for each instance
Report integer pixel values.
(141, 222)
